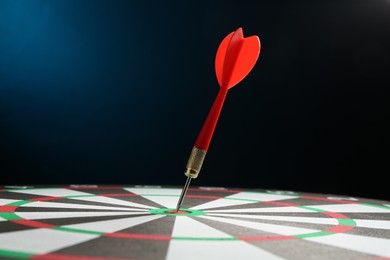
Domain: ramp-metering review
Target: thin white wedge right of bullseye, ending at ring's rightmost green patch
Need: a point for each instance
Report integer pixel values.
(326, 221)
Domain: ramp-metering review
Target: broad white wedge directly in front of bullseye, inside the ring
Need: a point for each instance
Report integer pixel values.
(188, 227)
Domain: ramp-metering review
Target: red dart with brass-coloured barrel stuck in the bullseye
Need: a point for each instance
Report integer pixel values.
(236, 56)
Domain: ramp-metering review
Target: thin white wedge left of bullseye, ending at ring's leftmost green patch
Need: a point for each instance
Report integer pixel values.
(55, 215)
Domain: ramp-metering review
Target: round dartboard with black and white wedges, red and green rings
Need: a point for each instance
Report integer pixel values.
(139, 222)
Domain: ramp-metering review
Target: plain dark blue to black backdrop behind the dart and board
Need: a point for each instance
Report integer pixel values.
(116, 92)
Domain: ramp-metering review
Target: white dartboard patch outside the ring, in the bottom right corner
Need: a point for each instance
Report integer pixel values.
(368, 245)
